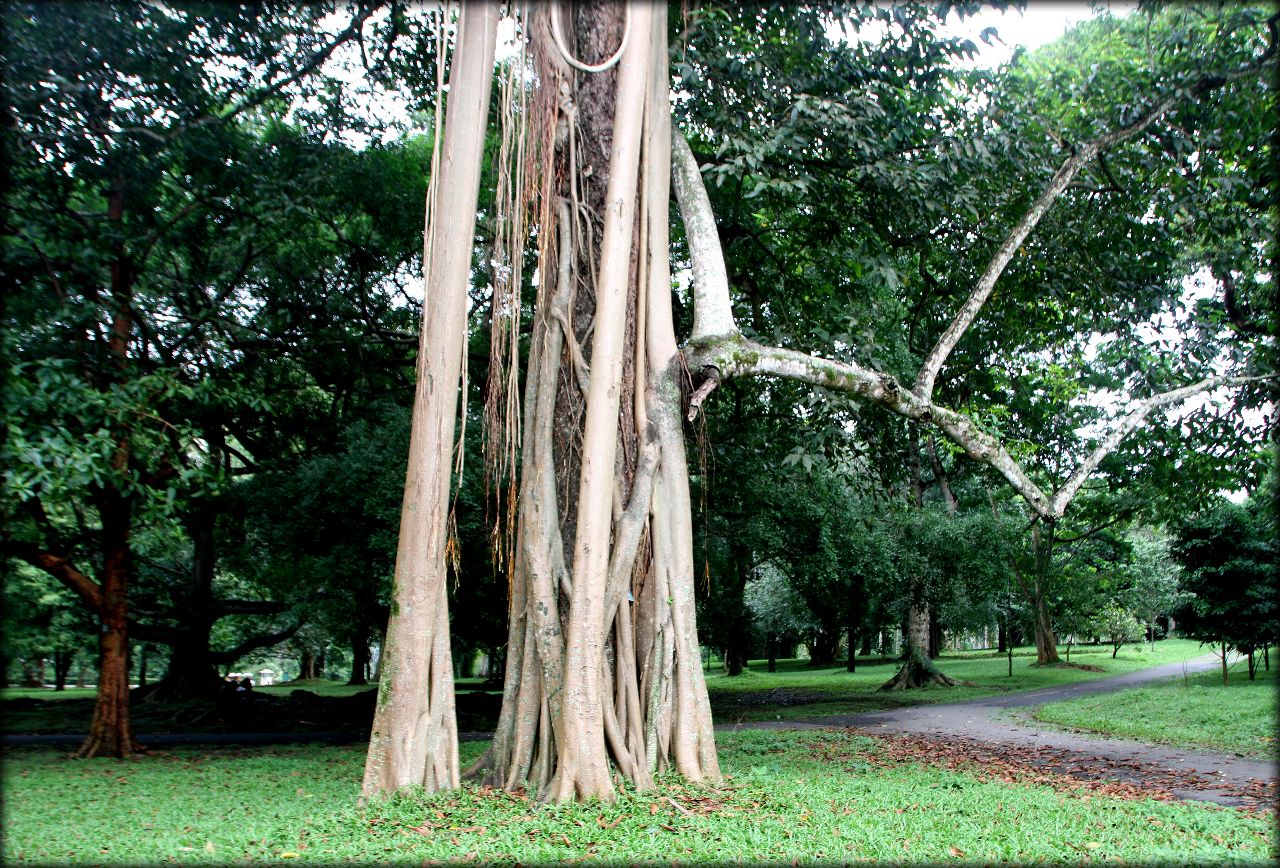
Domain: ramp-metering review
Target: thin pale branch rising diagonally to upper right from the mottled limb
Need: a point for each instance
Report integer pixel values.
(968, 312)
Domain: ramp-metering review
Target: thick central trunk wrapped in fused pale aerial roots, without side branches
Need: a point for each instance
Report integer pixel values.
(604, 657)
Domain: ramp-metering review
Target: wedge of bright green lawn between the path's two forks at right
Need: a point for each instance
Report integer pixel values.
(1197, 712)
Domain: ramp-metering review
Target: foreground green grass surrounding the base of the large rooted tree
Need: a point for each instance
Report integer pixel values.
(808, 797)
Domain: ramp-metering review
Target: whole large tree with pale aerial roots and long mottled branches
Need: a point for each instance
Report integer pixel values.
(604, 678)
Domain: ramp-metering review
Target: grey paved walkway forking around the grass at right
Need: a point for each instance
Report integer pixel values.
(1206, 776)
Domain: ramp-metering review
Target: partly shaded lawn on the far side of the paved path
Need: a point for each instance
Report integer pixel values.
(798, 692)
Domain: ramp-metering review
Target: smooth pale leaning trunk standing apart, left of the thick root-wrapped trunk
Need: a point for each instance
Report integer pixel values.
(414, 738)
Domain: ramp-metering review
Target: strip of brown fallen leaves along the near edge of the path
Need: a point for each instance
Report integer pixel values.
(1071, 771)
